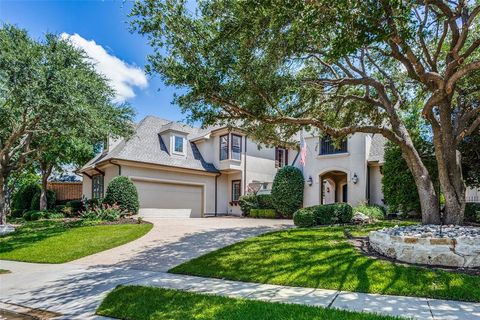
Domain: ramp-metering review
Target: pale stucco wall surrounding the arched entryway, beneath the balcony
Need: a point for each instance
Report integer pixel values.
(353, 162)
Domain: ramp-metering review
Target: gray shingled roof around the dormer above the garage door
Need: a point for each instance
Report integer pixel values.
(147, 146)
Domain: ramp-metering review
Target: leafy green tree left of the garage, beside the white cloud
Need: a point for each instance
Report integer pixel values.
(51, 99)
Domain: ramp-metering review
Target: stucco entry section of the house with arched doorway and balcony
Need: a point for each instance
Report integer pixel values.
(346, 171)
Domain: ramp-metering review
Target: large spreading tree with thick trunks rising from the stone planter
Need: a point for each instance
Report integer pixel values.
(341, 67)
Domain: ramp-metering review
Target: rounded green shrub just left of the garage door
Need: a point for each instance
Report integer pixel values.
(123, 192)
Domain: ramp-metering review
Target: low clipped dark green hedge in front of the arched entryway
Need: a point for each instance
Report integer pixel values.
(324, 214)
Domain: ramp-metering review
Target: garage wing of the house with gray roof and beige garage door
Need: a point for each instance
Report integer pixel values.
(185, 170)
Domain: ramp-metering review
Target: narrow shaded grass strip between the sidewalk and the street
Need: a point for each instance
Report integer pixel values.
(142, 303)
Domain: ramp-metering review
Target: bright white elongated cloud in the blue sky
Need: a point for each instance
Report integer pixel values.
(123, 77)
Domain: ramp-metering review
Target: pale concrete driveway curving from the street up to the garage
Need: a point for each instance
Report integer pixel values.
(75, 289)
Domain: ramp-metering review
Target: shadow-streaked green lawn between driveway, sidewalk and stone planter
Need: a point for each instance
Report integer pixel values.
(322, 258)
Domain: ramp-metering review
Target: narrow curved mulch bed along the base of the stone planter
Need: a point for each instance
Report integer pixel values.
(363, 246)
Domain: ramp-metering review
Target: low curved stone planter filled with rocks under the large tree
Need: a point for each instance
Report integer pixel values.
(453, 246)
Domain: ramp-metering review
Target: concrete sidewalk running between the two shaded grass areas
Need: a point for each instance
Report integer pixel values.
(409, 307)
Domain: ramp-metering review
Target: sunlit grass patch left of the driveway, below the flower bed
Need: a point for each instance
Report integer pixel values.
(53, 241)
